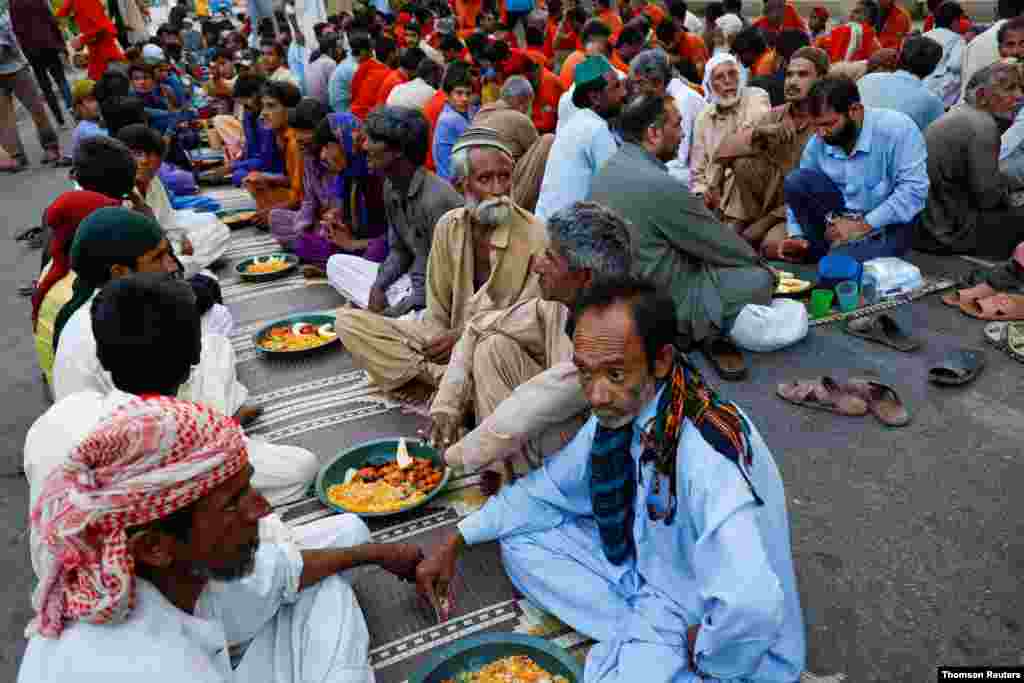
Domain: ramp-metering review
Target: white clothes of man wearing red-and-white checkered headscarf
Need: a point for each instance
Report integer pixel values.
(318, 634)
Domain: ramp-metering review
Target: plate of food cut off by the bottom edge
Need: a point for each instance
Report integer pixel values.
(500, 658)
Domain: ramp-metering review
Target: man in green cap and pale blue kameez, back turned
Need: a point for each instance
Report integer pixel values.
(584, 145)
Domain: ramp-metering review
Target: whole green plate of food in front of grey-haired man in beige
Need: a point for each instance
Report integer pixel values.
(382, 478)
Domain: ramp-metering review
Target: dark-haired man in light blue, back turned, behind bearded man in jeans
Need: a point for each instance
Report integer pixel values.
(906, 91)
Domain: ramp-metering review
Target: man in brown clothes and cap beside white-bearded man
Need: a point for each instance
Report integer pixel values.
(760, 156)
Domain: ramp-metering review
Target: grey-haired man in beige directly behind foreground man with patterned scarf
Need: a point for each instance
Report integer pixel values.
(514, 368)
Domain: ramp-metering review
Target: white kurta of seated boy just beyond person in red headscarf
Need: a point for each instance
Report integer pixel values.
(208, 235)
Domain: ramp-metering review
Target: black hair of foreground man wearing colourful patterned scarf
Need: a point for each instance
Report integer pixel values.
(655, 320)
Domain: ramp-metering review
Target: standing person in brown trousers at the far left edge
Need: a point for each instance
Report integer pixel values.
(17, 81)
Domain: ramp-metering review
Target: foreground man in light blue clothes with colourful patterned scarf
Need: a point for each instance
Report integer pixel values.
(661, 531)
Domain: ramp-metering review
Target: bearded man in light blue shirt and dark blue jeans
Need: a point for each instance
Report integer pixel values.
(862, 183)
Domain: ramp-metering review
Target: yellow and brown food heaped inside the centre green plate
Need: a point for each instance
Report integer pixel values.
(387, 488)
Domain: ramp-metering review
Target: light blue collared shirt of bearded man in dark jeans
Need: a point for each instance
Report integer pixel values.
(886, 178)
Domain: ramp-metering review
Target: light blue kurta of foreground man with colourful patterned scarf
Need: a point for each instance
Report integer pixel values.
(724, 563)
